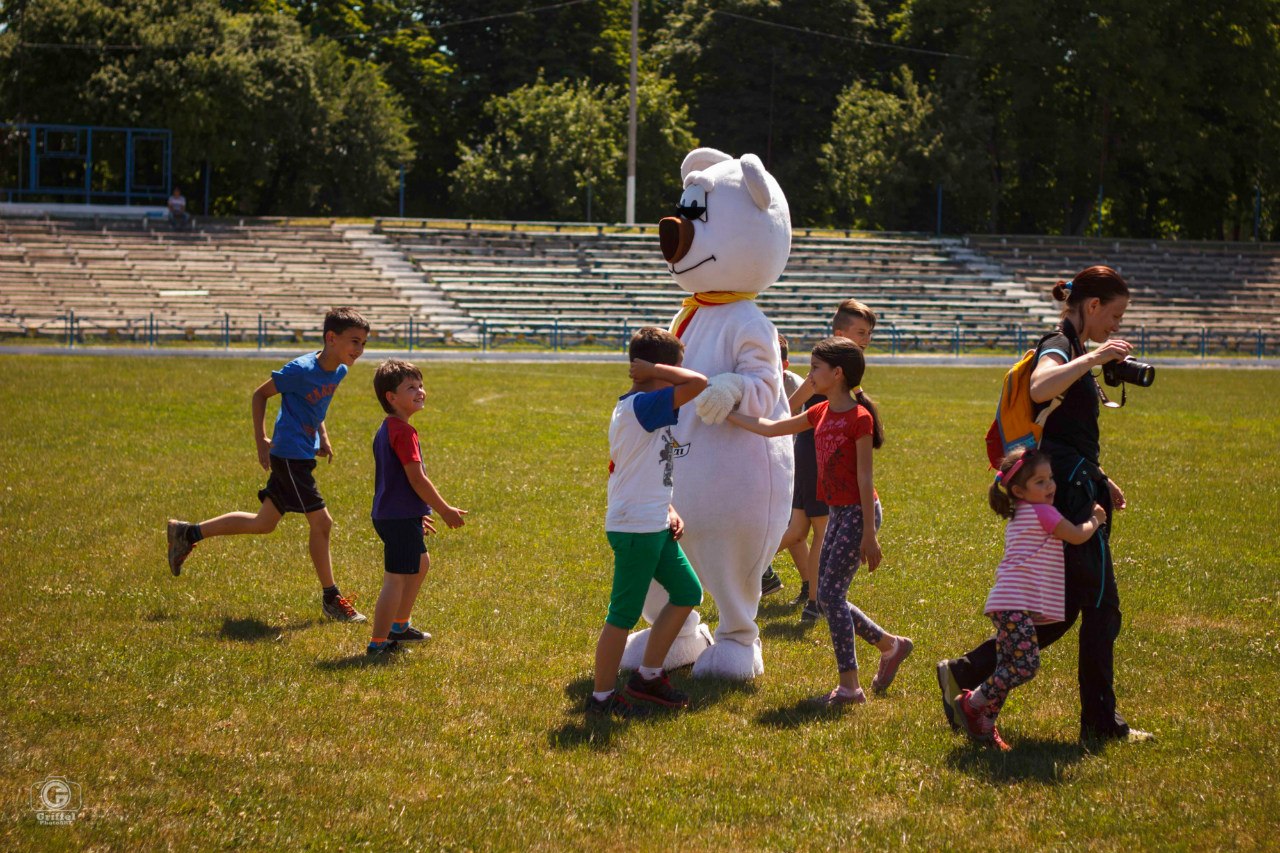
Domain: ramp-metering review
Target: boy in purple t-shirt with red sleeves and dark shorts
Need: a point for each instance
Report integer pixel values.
(404, 499)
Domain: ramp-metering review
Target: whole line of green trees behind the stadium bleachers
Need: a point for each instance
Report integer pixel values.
(1132, 118)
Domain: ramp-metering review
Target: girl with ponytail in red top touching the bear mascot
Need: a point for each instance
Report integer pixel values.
(847, 430)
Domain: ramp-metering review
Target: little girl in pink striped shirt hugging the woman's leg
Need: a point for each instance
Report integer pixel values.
(1030, 581)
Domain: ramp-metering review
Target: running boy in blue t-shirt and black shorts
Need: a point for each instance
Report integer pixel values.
(307, 386)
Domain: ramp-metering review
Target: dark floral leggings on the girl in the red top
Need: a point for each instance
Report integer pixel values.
(842, 553)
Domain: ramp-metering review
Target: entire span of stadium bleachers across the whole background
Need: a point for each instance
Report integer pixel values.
(547, 284)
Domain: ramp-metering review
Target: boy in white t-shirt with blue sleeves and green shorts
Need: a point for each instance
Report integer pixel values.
(643, 528)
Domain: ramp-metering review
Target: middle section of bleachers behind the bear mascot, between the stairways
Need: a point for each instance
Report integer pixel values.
(598, 284)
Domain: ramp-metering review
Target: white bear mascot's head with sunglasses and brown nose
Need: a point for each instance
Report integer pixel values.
(734, 230)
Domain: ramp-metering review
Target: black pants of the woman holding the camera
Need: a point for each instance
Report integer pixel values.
(1100, 627)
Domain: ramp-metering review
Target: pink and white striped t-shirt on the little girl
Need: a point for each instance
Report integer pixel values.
(1031, 577)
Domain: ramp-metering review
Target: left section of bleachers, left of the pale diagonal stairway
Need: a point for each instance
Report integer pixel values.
(122, 279)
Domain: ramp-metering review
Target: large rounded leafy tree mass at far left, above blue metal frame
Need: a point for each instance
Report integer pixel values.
(289, 125)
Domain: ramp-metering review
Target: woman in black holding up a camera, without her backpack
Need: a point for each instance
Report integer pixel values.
(1063, 380)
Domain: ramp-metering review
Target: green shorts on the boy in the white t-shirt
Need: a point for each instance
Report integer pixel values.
(639, 559)
